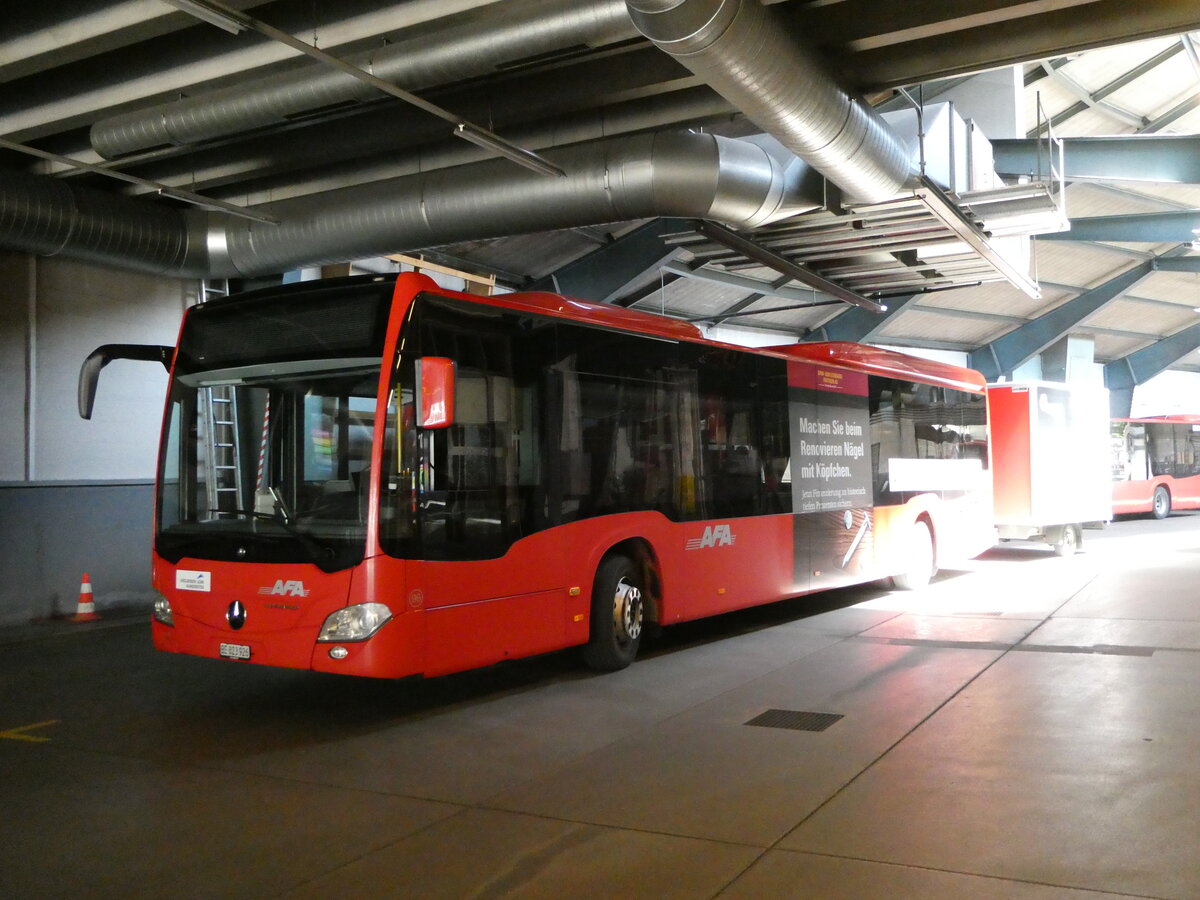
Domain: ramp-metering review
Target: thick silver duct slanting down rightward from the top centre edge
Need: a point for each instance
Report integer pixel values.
(745, 52)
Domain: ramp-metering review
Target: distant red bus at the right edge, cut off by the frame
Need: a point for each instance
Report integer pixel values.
(1156, 465)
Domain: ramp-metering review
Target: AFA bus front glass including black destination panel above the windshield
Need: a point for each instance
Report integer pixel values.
(267, 443)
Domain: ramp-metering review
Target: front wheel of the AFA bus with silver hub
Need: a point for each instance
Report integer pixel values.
(617, 611)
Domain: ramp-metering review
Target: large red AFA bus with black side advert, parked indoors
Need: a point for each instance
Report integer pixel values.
(379, 477)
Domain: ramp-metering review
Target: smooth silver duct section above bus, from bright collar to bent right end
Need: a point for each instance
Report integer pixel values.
(664, 175)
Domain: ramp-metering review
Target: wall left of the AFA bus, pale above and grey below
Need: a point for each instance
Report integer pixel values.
(76, 496)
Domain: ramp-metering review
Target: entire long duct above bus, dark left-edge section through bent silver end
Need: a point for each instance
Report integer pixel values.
(676, 175)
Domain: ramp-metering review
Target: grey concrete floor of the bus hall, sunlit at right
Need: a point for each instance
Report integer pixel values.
(1027, 729)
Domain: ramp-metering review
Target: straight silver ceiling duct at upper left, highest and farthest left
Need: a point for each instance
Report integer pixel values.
(499, 37)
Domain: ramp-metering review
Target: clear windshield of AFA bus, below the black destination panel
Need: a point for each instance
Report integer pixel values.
(269, 467)
